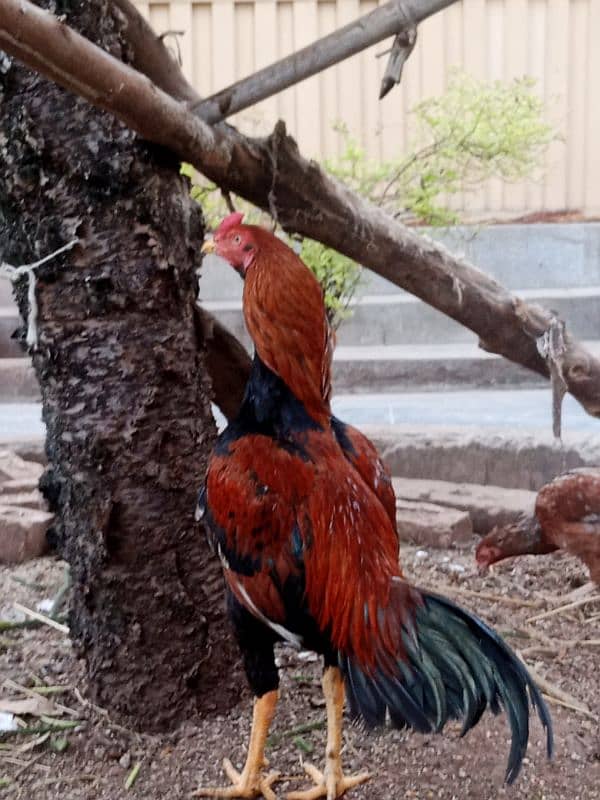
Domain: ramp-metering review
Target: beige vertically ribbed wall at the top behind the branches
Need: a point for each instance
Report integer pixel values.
(555, 41)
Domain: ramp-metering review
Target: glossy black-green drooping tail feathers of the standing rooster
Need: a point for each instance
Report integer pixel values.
(453, 666)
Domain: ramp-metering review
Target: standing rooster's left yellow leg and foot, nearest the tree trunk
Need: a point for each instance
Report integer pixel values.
(251, 782)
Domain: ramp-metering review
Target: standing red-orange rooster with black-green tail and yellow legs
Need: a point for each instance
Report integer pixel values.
(300, 512)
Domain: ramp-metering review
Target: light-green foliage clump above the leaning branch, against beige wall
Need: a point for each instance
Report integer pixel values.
(476, 130)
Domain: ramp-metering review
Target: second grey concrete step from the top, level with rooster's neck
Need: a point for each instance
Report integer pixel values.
(391, 319)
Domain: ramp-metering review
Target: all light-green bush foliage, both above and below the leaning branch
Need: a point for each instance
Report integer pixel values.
(474, 131)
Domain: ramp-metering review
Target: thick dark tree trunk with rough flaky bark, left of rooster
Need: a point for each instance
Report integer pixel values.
(125, 391)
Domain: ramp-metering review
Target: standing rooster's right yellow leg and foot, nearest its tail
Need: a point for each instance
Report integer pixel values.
(332, 783)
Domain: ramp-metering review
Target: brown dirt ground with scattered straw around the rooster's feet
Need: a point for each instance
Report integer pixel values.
(97, 760)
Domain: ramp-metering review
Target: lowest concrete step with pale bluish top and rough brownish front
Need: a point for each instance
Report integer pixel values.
(494, 438)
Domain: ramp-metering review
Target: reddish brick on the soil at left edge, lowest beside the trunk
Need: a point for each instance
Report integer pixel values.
(22, 533)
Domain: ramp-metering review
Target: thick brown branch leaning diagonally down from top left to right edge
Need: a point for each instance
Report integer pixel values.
(273, 175)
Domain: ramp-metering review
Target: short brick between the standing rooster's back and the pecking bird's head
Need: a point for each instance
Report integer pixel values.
(431, 525)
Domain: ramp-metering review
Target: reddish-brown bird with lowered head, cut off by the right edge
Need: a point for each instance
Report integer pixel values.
(567, 517)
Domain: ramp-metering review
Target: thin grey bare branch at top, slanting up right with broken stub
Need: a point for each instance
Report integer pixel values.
(384, 21)
